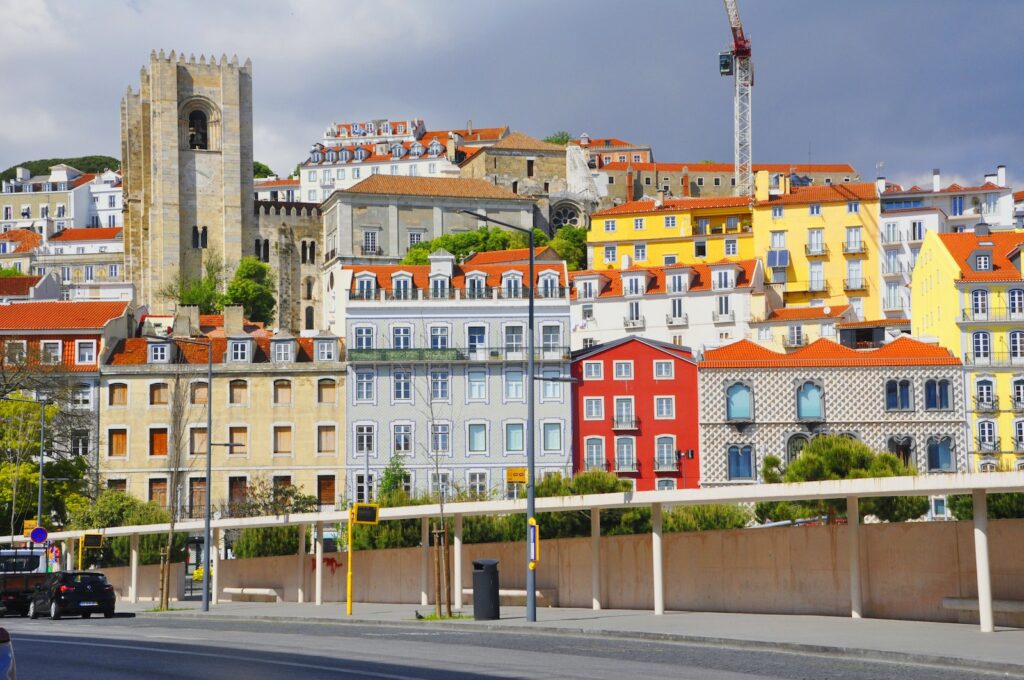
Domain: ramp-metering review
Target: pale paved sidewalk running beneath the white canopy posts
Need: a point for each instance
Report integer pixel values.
(958, 645)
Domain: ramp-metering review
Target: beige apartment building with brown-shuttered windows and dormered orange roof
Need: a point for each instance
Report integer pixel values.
(278, 401)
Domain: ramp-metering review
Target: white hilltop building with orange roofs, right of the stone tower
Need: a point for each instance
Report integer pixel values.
(350, 153)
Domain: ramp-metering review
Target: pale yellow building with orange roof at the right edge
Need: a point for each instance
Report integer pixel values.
(968, 292)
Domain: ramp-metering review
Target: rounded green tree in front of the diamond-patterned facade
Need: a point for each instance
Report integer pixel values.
(832, 457)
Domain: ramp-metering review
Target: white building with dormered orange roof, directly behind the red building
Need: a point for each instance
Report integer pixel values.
(694, 306)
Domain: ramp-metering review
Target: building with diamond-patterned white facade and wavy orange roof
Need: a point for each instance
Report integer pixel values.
(906, 398)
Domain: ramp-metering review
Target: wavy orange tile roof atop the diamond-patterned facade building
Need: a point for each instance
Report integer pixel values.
(826, 354)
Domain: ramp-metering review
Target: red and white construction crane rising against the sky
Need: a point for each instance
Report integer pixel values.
(737, 62)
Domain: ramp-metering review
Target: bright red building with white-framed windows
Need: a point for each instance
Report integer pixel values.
(635, 413)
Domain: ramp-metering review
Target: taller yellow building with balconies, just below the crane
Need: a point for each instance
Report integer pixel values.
(821, 244)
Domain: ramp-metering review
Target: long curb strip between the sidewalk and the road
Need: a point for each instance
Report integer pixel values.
(960, 663)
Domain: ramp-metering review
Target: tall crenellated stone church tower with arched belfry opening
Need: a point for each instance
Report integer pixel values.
(187, 149)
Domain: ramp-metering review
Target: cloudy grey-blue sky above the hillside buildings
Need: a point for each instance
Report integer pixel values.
(912, 86)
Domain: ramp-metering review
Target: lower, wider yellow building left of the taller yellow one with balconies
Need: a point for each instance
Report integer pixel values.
(659, 233)
